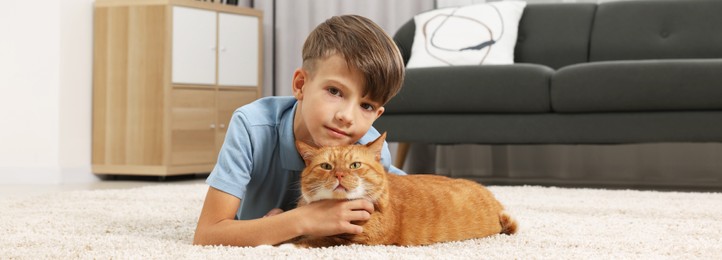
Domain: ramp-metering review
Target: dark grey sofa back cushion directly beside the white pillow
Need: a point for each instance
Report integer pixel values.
(555, 35)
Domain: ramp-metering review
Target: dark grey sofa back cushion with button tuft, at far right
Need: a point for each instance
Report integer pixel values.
(633, 30)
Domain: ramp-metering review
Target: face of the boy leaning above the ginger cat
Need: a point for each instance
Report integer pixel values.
(332, 110)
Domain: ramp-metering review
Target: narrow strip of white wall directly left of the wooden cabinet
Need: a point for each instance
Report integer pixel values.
(76, 84)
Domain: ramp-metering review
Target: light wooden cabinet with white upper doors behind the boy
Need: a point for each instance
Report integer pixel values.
(167, 76)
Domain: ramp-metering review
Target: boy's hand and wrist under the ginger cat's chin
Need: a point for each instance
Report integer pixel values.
(332, 217)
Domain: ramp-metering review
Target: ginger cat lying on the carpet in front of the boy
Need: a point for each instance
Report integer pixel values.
(409, 210)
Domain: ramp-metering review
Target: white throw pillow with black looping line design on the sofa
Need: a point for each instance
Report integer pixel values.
(480, 34)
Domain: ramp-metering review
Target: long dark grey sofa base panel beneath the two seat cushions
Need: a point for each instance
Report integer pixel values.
(554, 128)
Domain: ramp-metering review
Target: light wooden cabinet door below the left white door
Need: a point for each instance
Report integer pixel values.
(193, 126)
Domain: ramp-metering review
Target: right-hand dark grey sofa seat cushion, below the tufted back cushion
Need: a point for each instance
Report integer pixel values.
(647, 85)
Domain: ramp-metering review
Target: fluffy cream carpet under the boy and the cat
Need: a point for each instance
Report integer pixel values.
(159, 221)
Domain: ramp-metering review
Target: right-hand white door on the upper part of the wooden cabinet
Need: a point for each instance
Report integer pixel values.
(238, 56)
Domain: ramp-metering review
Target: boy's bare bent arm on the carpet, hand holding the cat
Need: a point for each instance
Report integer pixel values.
(217, 226)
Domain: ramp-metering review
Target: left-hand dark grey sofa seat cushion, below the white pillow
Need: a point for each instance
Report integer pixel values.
(518, 88)
